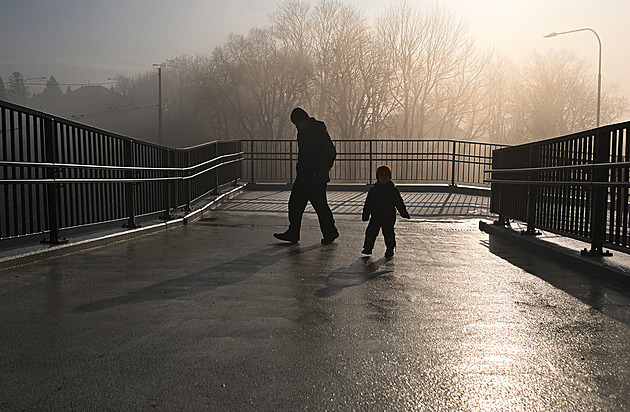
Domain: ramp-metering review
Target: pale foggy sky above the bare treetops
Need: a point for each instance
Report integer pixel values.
(87, 41)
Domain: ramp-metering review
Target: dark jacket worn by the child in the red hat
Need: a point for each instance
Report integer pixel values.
(382, 201)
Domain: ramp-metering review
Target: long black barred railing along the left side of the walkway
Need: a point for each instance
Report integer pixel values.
(57, 174)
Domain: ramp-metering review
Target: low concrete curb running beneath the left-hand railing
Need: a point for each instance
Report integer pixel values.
(71, 247)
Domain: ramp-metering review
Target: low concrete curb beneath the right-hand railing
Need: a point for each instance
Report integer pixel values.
(597, 266)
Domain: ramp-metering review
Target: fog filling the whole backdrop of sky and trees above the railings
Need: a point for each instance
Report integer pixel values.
(485, 62)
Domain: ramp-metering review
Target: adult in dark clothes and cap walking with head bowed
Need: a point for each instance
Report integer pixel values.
(316, 154)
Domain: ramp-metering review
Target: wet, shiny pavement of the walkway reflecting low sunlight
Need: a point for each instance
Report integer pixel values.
(218, 315)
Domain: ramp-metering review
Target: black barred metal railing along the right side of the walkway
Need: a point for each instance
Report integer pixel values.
(575, 185)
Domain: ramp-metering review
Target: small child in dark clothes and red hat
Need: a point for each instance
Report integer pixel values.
(381, 203)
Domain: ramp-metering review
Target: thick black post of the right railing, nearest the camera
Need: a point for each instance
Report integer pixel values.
(599, 198)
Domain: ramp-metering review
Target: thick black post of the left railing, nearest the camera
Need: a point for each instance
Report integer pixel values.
(52, 188)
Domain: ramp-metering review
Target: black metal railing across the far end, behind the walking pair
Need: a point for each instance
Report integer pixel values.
(450, 162)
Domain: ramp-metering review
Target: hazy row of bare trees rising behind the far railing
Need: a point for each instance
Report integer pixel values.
(412, 73)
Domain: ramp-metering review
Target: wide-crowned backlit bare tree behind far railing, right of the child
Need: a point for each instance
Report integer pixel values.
(434, 69)
